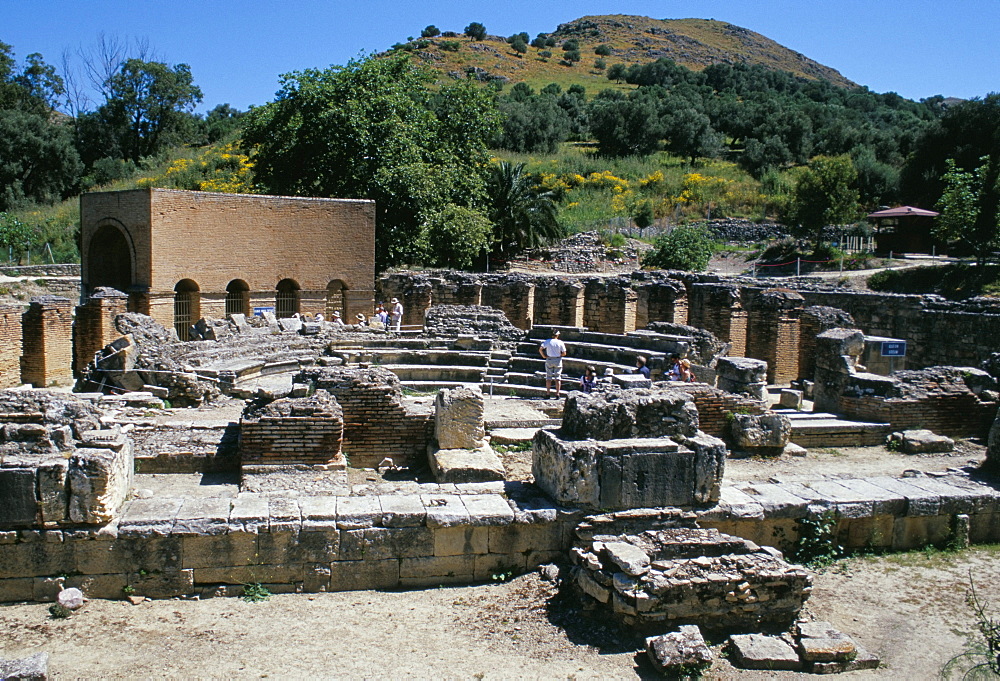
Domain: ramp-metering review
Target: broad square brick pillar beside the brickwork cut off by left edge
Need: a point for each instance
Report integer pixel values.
(48, 342)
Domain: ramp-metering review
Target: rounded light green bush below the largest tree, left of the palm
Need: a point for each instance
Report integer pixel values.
(456, 236)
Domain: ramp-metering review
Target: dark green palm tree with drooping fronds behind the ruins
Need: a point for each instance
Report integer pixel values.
(523, 214)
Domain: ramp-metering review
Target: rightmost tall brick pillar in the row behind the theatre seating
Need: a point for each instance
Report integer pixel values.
(772, 331)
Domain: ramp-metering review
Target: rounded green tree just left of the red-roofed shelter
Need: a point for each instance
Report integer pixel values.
(824, 195)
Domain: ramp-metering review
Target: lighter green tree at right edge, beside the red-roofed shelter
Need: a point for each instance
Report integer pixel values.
(967, 214)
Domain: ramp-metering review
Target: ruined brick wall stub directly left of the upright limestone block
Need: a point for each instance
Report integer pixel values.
(377, 422)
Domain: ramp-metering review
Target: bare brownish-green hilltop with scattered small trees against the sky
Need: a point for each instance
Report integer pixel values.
(694, 43)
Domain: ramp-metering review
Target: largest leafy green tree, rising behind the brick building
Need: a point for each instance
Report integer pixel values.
(373, 130)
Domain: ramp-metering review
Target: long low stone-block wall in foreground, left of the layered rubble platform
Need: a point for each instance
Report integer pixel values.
(167, 547)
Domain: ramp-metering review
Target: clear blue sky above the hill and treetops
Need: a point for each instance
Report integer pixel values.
(236, 50)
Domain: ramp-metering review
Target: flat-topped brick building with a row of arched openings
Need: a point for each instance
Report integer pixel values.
(183, 255)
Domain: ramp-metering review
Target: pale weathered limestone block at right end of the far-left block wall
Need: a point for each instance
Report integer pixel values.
(99, 481)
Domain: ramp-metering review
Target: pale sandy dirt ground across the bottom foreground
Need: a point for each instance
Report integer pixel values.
(910, 609)
